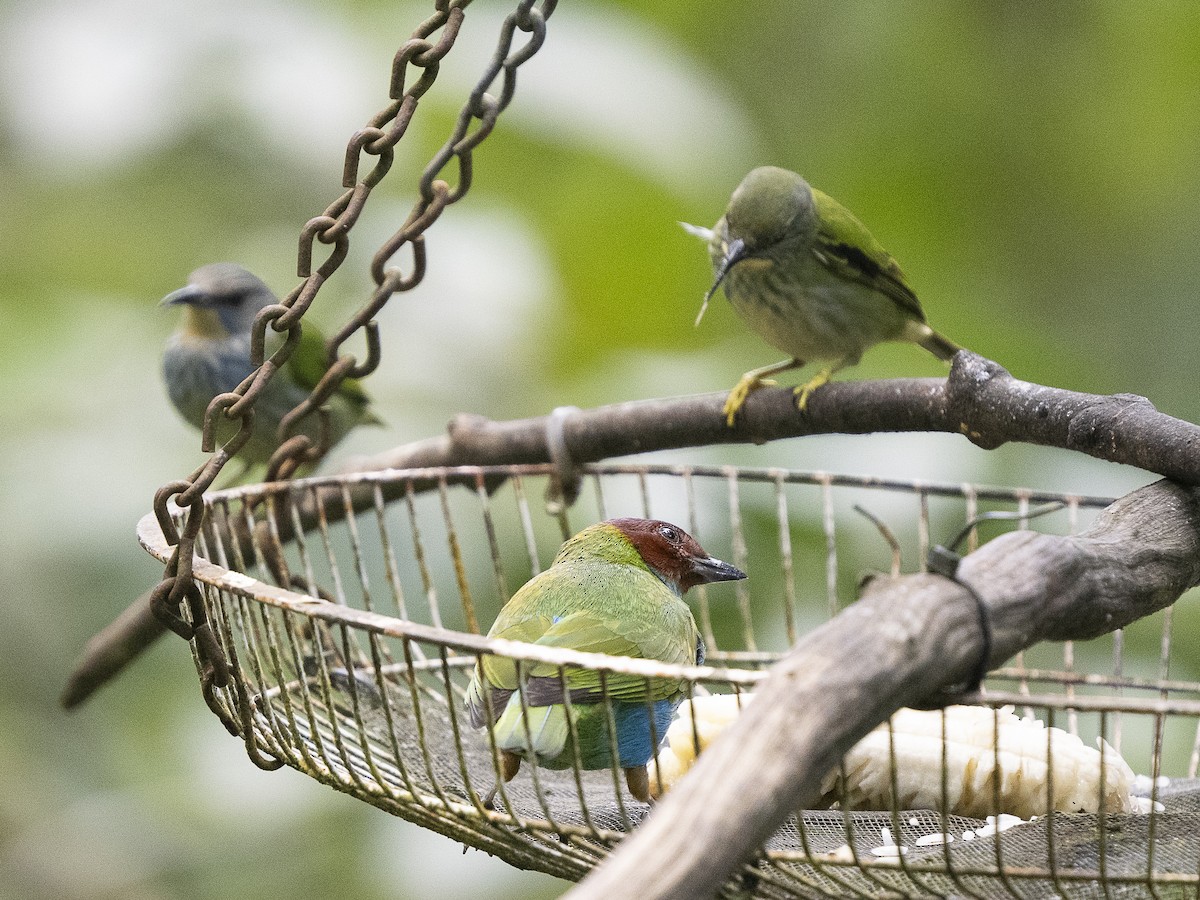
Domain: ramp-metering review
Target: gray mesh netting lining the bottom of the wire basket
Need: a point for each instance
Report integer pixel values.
(572, 823)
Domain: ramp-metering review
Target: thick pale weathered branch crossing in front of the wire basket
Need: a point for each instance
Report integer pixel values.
(907, 641)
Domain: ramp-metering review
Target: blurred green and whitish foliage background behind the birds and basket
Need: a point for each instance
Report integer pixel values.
(1033, 166)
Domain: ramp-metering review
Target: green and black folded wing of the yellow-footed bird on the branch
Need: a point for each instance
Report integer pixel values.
(844, 245)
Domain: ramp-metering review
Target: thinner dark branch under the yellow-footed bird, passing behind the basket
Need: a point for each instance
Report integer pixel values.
(980, 400)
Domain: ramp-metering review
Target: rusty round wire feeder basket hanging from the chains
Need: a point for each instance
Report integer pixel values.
(352, 610)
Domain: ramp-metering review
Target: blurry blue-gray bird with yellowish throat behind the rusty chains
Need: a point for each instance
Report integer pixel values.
(211, 355)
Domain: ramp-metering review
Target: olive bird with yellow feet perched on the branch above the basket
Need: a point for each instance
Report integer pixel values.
(808, 277)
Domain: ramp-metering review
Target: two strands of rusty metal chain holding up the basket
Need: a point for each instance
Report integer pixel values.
(333, 227)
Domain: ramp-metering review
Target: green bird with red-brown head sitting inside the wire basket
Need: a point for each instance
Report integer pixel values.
(614, 589)
